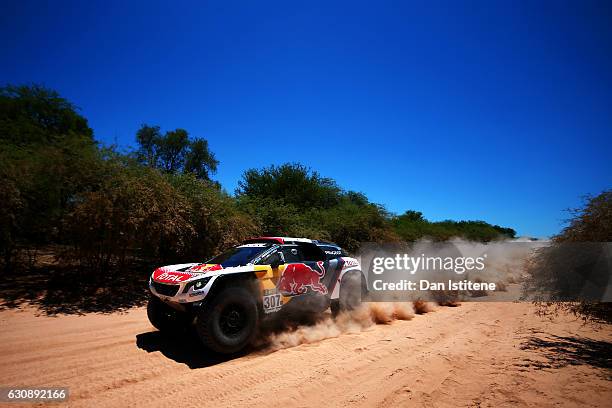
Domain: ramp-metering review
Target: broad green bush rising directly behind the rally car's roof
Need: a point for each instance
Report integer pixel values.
(291, 200)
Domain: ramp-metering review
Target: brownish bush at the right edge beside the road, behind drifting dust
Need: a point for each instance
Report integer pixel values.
(571, 274)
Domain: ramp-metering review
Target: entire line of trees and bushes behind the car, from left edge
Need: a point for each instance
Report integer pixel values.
(157, 204)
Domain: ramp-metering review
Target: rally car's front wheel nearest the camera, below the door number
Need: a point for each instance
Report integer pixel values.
(229, 322)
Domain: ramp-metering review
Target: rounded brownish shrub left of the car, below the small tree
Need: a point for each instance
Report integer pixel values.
(135, 210)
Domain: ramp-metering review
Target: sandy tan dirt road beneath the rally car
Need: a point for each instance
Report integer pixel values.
(478, 354)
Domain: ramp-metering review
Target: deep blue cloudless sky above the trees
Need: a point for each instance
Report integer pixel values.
(491, 110)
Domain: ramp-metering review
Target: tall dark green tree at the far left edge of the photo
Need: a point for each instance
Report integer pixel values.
(47, 155)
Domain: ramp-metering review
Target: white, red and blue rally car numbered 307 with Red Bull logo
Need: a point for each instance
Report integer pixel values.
(228, 297)
